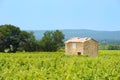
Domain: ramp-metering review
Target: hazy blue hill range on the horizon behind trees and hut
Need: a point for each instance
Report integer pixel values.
(111, 37)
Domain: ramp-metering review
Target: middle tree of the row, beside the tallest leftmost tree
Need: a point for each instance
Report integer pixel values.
(27, 41)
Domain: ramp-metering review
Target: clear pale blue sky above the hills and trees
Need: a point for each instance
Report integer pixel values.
(61, 14)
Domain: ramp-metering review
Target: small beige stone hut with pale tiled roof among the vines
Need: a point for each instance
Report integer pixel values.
(80, 46)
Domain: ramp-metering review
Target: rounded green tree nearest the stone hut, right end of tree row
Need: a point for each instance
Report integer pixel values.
(52, 40)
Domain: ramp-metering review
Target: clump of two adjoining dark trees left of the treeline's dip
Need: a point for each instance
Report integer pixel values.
(13, 39)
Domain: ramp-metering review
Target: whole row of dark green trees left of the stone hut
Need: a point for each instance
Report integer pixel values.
(13, 39)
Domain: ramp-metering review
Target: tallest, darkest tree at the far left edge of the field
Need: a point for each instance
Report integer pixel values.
(9, 37)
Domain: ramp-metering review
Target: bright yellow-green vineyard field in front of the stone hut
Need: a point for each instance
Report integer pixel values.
(57, 66)
